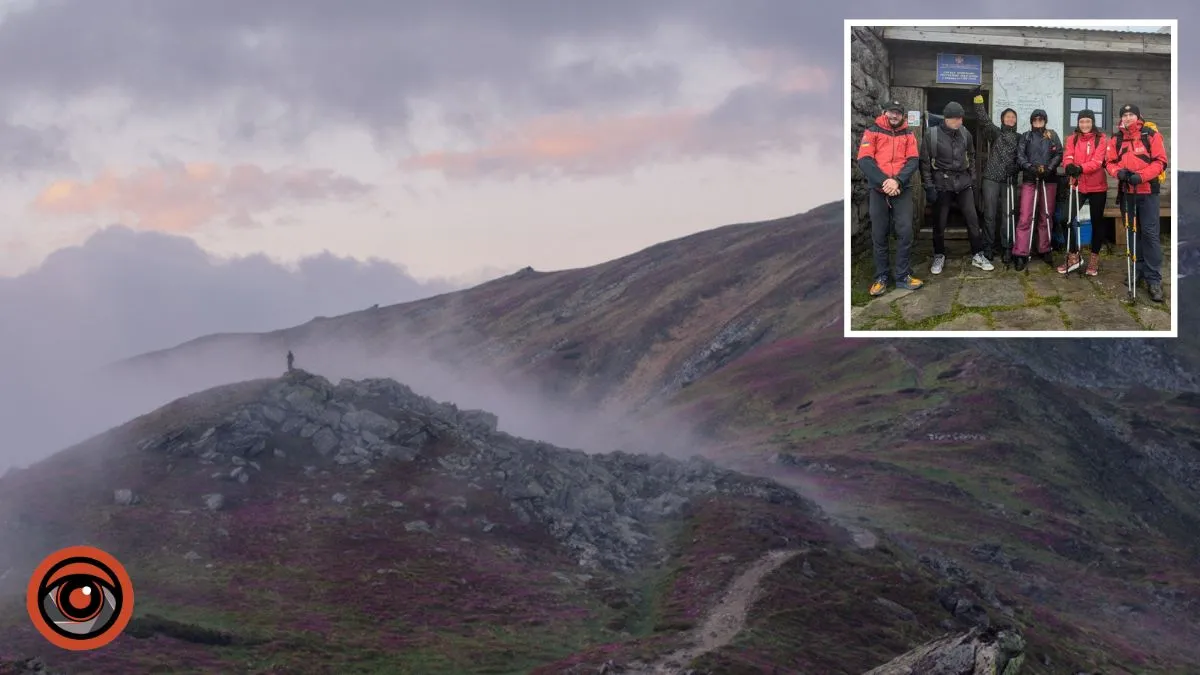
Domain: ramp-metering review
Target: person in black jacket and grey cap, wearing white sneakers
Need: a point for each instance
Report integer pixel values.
(947, 171)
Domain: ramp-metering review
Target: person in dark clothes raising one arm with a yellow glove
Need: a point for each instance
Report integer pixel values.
(998, 178)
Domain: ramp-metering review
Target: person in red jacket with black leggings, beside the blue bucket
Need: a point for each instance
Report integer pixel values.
(1084, 164)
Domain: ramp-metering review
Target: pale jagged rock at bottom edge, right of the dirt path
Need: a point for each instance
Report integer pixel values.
(976, 653)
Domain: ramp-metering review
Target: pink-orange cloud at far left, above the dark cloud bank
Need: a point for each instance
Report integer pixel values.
(185, 198)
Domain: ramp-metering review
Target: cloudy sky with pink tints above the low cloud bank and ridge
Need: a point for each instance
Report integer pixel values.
(458, 139)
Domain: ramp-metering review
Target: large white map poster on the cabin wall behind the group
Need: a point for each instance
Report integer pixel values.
(1027, 87)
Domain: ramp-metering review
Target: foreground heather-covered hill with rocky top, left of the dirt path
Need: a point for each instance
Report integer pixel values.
(421, 540)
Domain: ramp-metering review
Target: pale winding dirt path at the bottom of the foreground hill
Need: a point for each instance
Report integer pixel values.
(725, 620)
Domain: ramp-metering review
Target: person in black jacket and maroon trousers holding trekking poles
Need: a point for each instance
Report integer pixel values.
(1039, 154)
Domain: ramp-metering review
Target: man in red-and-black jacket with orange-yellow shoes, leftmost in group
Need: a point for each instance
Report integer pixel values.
(889, 159)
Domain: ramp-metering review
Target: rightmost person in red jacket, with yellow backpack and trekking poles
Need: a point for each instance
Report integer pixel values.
(1137, 166)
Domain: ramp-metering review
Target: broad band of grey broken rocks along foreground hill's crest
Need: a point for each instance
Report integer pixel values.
(602, 507)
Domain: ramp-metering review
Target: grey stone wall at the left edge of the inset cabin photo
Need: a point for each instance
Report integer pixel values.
(871, 70)
